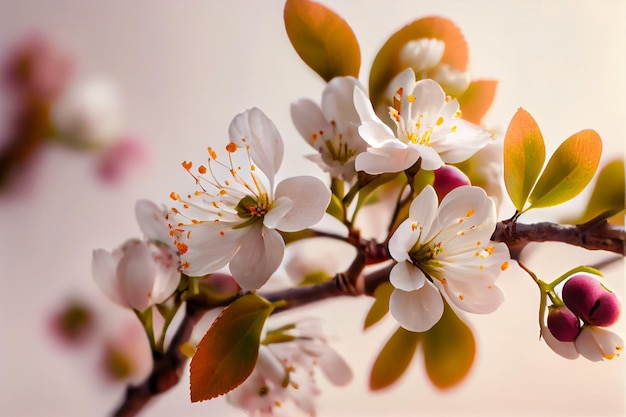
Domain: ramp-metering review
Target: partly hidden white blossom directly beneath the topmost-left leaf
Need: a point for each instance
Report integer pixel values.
(332, 128)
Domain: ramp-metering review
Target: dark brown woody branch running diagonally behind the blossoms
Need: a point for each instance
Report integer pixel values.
(169, 367)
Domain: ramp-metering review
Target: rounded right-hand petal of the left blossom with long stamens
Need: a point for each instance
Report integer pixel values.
(309, 198)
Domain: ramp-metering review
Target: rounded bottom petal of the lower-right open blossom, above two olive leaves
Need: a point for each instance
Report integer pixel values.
(419, 310)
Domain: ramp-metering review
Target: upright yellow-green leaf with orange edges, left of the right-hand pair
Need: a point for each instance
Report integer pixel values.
(524, 154)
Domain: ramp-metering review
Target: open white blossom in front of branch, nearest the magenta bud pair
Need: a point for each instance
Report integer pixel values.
(447, 249)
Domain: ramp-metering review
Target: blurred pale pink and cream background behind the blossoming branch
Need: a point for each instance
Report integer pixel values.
(180, 71)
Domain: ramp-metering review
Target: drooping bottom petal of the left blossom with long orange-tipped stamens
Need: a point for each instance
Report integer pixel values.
(259, 256)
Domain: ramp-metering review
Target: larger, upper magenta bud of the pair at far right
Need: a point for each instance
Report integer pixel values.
(586, 297)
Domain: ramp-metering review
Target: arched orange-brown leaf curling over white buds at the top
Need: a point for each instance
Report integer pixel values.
(385, 65)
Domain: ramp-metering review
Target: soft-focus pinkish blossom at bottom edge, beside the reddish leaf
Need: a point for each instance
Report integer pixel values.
(283, 380)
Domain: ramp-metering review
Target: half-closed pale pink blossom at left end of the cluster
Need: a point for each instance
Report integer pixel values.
(140, 273)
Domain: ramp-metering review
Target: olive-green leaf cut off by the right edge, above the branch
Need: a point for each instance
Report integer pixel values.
(607, 197)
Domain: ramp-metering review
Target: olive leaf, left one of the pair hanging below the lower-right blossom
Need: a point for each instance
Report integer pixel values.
(394, 359)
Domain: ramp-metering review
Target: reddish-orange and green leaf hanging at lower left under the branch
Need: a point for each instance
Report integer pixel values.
(227, 353)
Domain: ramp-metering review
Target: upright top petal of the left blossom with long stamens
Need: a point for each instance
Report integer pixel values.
(266, 144)
